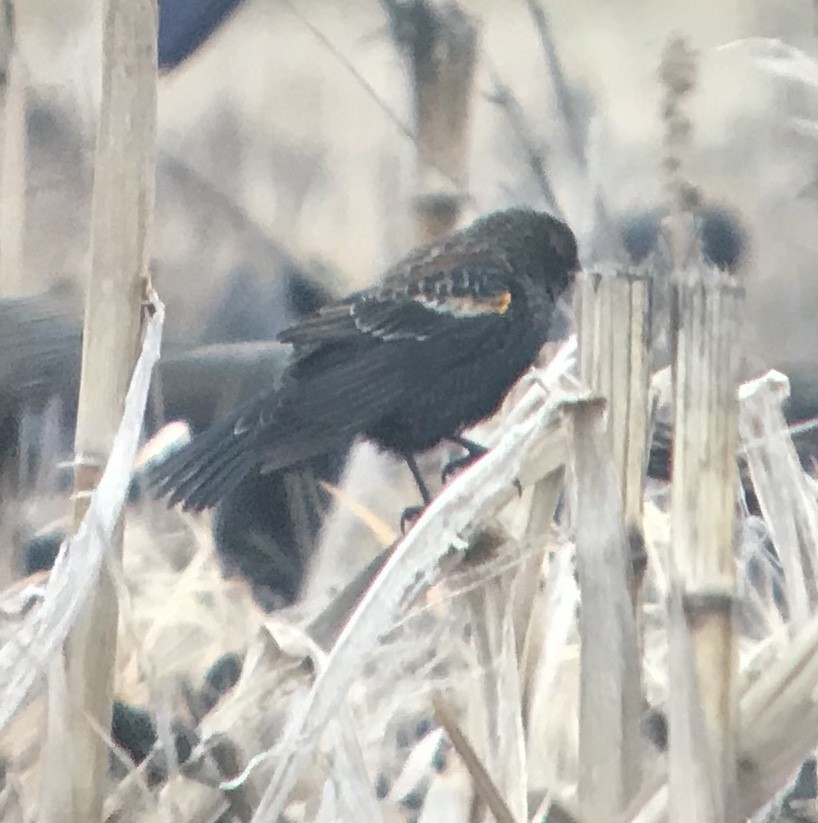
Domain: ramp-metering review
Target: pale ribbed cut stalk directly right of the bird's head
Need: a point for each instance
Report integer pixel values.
(613, 331)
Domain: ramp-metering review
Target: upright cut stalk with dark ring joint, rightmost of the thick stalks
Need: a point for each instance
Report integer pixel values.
(702, 641)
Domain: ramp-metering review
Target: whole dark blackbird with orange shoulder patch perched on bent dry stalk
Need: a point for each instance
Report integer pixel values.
(410, 362)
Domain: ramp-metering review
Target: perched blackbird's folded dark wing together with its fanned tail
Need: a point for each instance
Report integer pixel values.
(355, 363)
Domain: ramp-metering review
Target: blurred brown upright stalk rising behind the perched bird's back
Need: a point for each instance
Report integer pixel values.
(440, 44)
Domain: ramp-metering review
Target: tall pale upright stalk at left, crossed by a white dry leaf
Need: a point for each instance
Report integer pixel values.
(122, 212)
